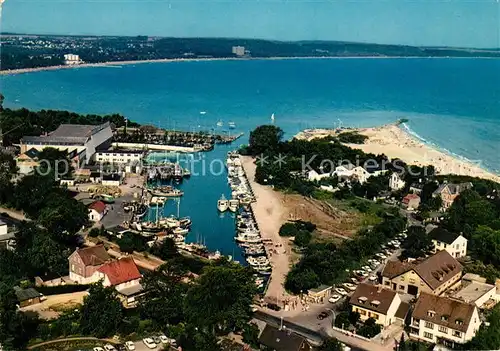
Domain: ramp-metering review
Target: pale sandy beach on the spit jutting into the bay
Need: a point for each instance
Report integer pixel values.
(394, 142)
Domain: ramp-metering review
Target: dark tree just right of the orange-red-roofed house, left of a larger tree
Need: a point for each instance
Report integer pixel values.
(166, 291)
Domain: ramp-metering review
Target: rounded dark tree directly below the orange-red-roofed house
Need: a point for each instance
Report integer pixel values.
(101, 312)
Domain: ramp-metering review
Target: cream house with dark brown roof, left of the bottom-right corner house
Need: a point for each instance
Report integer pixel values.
(372, 301)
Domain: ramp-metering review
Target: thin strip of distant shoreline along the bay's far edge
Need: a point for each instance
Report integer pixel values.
(132, 62)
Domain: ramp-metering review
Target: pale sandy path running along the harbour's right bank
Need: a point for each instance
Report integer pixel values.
(270, 214)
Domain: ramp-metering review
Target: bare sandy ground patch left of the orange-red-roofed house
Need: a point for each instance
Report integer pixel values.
(53, 306)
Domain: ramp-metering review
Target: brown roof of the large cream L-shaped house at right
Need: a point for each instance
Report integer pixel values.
(434, 270)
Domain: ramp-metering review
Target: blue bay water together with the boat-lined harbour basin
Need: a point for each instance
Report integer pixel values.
(453, 104)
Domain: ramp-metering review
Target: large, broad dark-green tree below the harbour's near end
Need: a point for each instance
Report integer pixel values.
(220, 298)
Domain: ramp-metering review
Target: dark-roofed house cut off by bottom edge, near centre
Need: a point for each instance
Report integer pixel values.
(283, 340)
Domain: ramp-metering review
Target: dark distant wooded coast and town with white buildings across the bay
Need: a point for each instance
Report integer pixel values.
(22, 51)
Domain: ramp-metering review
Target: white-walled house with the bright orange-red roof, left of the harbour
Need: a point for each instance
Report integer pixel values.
(125, 277)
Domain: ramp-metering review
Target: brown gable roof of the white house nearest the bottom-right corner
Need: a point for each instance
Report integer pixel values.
(446, 311)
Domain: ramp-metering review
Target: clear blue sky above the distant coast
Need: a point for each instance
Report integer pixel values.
(458, 23)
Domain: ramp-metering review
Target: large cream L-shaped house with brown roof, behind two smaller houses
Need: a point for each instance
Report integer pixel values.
(434, 274)
